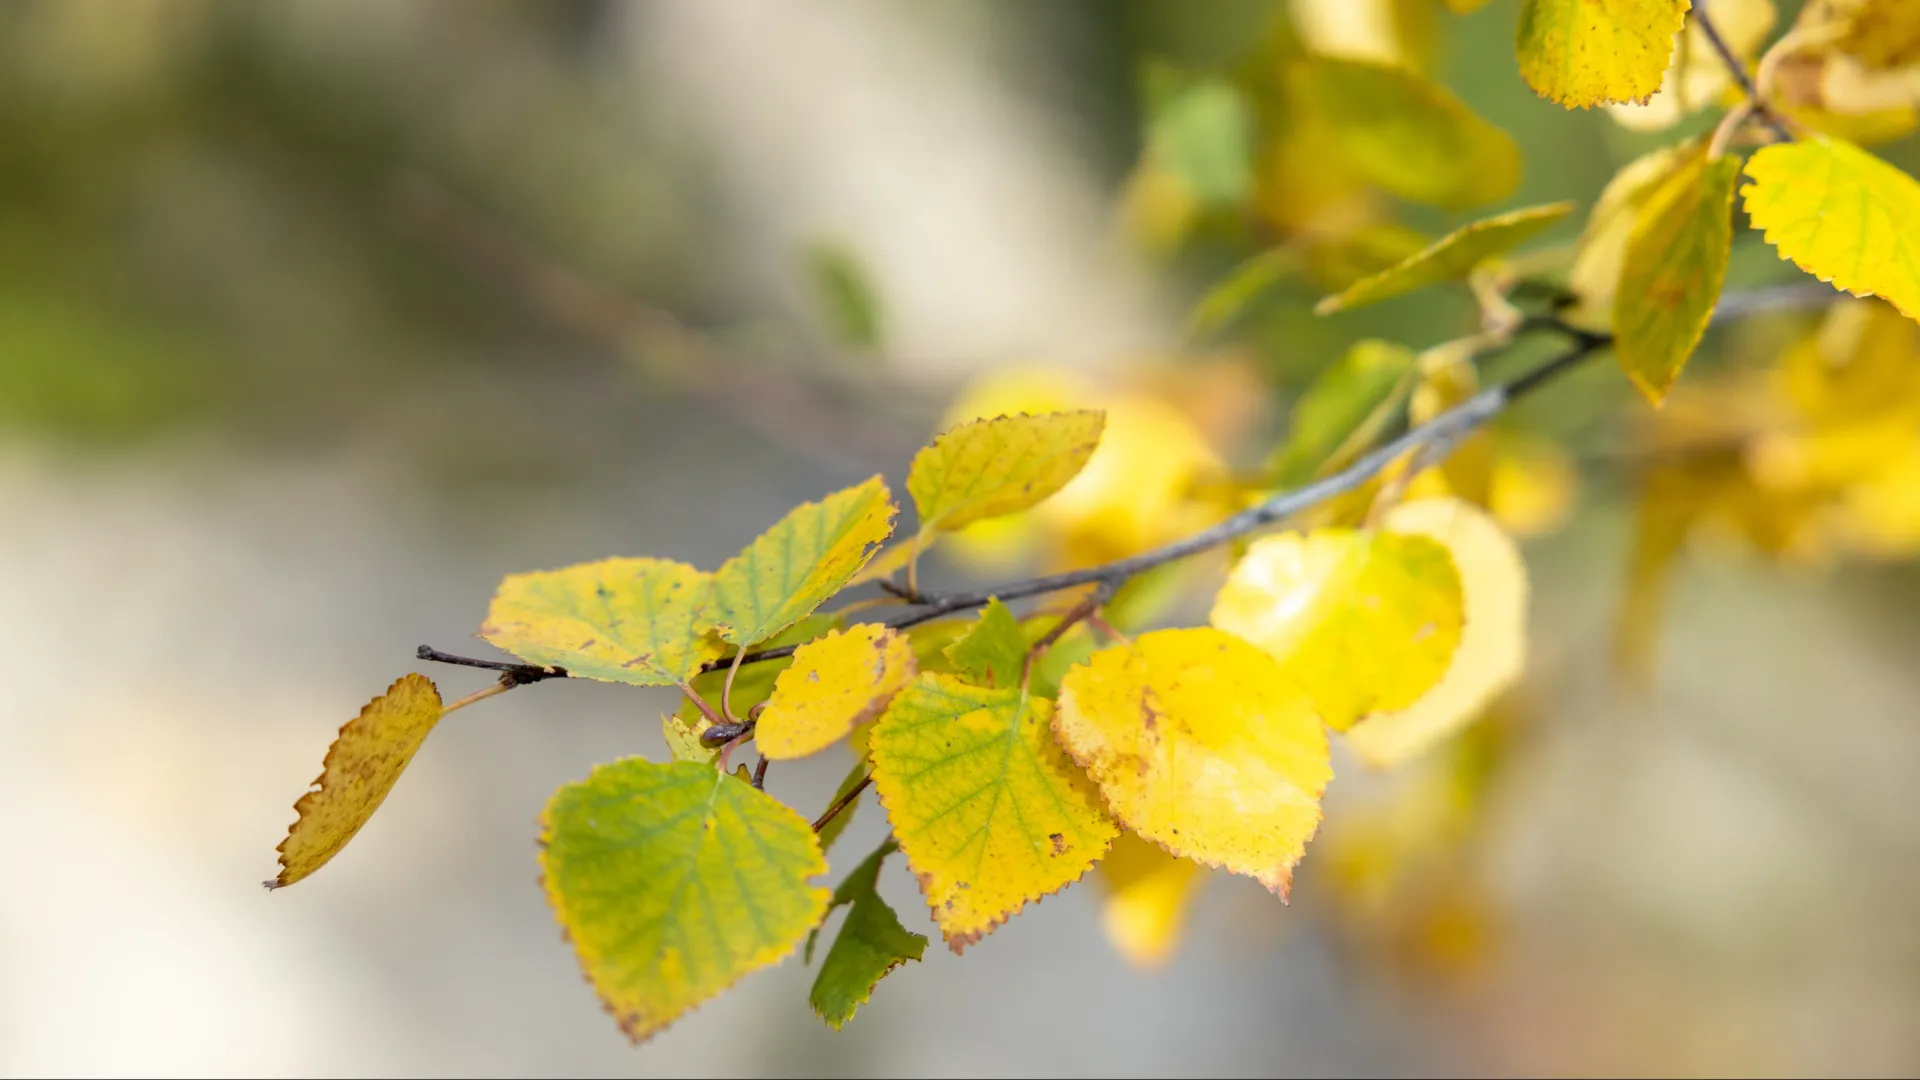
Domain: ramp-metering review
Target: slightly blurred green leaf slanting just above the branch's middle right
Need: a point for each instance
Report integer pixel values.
(1343, 406)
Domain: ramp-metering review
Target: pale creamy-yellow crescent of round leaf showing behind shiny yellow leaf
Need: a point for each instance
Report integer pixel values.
(1493, 647)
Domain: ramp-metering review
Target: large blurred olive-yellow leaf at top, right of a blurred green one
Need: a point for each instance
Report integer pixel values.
(1408, 135)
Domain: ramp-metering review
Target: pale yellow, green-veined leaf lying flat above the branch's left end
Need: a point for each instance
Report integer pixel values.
(642, 622)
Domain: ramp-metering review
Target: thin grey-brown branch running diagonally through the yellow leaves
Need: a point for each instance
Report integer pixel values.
(1445, 430)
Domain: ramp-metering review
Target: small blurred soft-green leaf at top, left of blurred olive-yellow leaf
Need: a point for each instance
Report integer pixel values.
(1201, 130)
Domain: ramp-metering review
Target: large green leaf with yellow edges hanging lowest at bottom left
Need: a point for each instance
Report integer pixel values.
(675, 881)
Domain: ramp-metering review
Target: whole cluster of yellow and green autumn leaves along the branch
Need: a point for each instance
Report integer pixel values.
(1013, 754)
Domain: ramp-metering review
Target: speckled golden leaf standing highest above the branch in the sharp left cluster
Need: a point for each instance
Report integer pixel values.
(999, 466)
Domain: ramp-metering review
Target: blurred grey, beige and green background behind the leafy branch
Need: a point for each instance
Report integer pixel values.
(318, 318)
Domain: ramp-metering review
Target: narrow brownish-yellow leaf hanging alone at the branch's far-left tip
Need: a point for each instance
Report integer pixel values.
(362, 766)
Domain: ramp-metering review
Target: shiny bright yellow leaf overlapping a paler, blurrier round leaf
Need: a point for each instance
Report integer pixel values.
(1362, 620)
